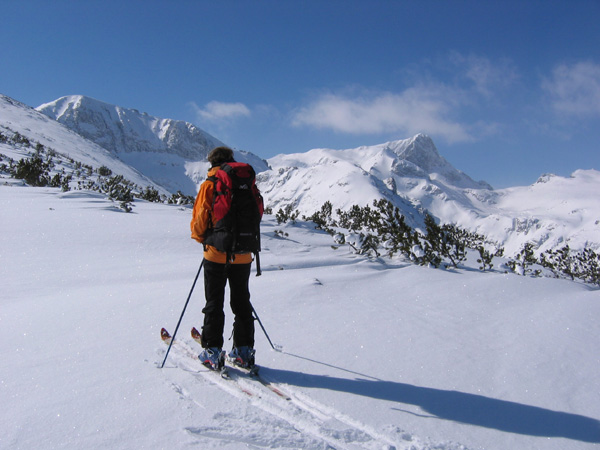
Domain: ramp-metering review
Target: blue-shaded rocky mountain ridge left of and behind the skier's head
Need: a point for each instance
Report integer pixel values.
(170, 152)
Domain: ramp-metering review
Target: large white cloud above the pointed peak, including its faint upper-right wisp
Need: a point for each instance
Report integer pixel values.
(472, 83)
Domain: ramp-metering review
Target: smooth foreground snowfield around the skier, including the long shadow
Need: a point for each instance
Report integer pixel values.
(376, 354)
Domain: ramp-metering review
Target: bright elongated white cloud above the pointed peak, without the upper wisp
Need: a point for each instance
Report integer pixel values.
(417, 109)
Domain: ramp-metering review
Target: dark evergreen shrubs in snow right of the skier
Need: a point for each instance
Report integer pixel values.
(381, 230)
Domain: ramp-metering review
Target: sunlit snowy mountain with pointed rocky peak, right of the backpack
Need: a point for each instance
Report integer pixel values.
(410, 173)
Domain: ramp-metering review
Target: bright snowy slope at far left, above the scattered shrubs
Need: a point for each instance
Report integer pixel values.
(37, 127)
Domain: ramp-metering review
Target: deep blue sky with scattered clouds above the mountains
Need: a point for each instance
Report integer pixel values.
(508, 90)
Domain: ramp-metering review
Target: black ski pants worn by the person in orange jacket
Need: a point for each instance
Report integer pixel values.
(216, 277)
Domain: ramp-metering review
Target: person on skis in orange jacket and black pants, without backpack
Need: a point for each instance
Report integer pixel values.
(218, 271)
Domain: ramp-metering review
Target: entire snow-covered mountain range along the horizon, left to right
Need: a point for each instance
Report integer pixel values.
(410, 173)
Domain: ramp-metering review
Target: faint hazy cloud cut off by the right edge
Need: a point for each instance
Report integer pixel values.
(575, 89)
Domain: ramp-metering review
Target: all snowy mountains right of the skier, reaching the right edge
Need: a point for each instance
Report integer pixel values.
(412, 174)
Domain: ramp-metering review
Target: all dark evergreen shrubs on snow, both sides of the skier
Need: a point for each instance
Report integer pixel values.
(380, 230)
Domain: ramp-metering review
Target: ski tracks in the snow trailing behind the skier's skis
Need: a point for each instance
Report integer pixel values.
(300, 422)
